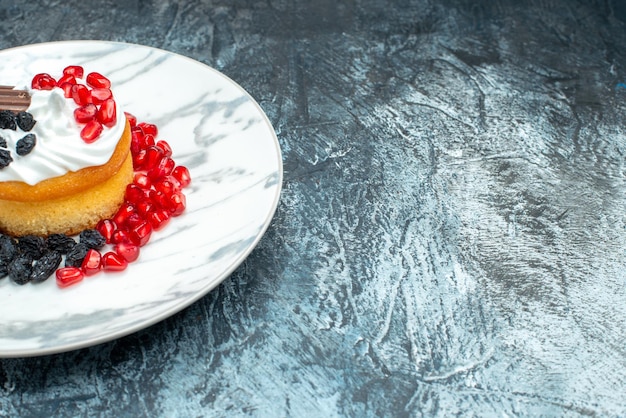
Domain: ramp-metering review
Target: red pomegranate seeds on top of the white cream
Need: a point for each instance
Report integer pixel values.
(96, 107)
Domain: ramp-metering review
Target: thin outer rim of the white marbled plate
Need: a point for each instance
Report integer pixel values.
(216, 280)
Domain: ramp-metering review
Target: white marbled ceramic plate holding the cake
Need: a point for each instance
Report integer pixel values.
(215, 129)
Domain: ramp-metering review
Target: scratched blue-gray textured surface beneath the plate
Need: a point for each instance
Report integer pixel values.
(451, 234)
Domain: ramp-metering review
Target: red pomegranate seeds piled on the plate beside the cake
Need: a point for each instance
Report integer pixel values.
(151, 200)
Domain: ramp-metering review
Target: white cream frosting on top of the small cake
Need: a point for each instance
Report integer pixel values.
(59, 148)
